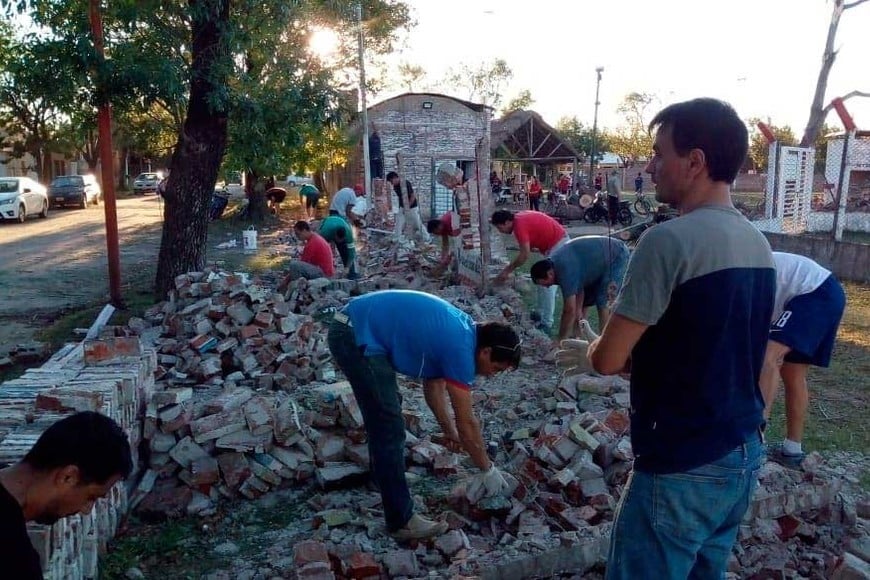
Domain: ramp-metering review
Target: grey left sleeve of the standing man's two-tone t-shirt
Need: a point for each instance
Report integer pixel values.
(651, 278)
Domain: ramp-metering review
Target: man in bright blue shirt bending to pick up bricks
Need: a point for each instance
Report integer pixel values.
(419, 335)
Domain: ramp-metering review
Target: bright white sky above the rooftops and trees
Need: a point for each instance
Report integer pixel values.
(762, 56)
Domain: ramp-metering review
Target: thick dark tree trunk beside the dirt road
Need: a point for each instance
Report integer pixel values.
(199, 151)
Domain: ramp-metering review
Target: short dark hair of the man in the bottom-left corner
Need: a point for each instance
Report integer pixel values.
(92, 442)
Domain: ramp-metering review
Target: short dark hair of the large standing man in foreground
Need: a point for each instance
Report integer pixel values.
(712, 126)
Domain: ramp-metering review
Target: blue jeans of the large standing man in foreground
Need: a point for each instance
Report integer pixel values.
(683, 525)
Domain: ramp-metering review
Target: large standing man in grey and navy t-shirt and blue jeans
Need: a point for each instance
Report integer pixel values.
(699, 291)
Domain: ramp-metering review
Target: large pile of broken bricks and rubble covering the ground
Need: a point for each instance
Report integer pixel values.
(247, 401)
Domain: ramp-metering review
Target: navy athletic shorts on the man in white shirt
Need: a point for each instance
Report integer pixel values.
(809, 322)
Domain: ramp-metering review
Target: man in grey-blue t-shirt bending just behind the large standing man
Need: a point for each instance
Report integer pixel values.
(588, 270)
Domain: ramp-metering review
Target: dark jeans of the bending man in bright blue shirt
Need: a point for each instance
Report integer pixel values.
(373, 380)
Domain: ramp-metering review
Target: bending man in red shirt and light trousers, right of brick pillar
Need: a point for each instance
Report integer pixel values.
(534, 231)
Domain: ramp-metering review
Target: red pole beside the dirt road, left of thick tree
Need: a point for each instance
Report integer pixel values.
(104, 126)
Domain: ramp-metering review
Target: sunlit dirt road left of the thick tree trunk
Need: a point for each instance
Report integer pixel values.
(53, 264)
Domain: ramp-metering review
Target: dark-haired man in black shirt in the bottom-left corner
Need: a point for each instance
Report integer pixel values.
(75, 462)
